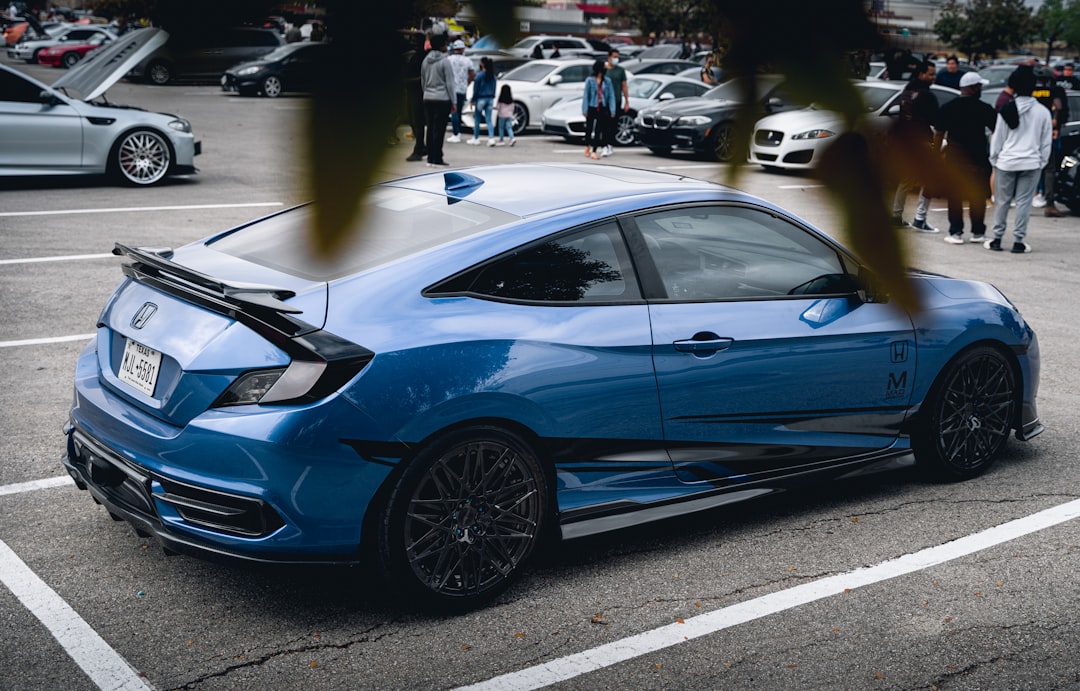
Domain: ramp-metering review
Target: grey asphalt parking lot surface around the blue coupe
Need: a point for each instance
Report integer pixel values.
(87, 604)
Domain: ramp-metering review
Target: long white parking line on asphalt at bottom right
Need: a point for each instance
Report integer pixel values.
(609, 655)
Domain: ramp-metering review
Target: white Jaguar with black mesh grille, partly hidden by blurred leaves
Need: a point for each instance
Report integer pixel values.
(794, 140)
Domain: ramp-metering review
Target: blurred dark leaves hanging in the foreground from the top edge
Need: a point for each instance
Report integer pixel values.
(353, 119)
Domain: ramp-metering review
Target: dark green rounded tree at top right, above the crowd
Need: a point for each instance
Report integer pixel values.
(985, 28)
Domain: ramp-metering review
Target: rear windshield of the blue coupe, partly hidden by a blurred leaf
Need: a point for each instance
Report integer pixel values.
(393, 224)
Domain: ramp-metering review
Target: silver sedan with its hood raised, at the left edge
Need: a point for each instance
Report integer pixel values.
(48, 131)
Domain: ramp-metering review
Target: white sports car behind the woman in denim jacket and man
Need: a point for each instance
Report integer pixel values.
(565, 118)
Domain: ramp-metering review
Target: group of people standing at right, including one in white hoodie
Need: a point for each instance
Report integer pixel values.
(1015, 167)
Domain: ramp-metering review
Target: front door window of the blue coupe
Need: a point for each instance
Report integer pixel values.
(718, 253)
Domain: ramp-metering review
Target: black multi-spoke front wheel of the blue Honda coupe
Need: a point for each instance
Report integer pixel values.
(968, 415)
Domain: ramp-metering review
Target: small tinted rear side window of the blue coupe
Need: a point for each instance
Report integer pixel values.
(589, 266)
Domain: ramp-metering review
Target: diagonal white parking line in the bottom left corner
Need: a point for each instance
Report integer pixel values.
(102, 663)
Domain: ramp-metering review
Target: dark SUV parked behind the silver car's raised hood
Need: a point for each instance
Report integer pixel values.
(206, 58)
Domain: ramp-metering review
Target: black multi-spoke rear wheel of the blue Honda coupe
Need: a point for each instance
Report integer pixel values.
(465, 518)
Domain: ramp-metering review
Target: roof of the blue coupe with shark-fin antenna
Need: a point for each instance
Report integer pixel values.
(529, 189)
